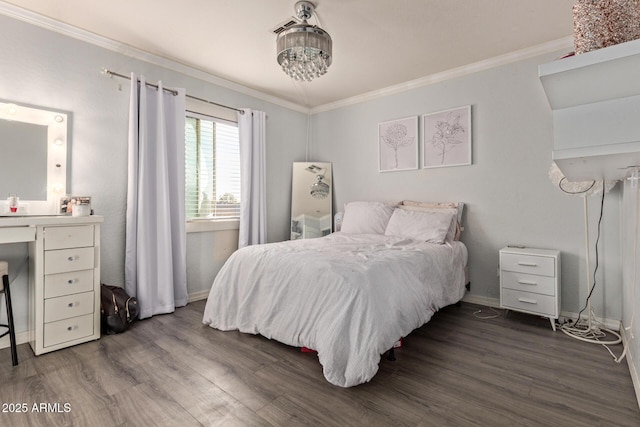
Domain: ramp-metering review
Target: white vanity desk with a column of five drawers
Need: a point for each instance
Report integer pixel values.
(64, 277)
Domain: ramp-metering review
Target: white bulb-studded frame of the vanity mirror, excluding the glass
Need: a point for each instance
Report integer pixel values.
(57, 131)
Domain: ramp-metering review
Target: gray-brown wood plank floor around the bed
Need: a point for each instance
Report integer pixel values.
(457, 370)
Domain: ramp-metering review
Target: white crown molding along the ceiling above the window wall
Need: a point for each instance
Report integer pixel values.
(47, 23)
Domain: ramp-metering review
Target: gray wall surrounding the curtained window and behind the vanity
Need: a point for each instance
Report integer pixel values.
(44, 68)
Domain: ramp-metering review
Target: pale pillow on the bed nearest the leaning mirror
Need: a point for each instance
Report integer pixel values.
(366, 217)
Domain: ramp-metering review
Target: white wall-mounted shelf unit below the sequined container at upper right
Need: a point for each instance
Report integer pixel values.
(595, 98)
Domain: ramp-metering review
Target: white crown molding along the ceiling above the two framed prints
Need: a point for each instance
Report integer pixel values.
(519, 55)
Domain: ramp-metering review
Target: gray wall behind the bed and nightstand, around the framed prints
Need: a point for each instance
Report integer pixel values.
(509, 197)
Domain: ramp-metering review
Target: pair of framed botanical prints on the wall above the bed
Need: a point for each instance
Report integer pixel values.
(446, 141)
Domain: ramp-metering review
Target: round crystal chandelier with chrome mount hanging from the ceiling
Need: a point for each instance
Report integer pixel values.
(304, 51)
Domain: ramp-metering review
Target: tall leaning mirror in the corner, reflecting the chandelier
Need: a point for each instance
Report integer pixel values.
(311, 200)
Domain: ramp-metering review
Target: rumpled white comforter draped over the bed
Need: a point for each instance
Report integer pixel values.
(350, 297)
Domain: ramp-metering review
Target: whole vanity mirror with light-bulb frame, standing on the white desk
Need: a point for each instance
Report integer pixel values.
(33, 165)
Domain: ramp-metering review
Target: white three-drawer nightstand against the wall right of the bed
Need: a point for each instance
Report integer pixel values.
(530, 281)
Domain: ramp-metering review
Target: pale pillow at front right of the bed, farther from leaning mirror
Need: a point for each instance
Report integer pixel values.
(420, 225)
